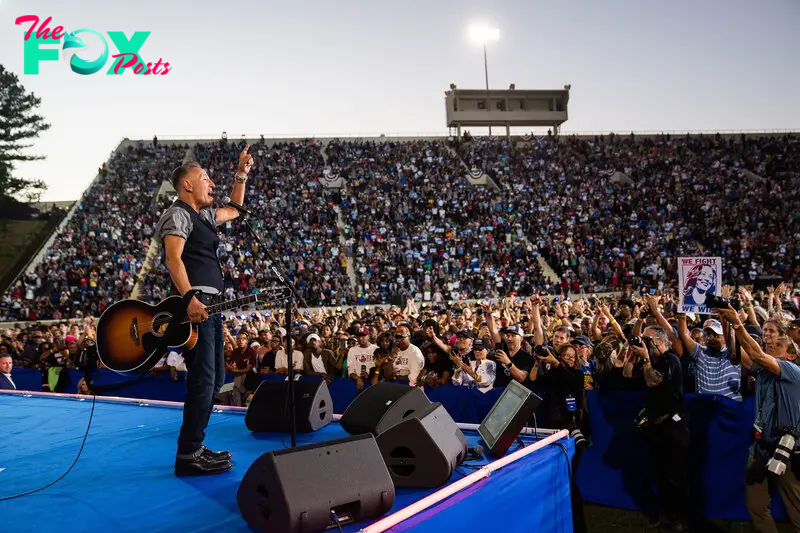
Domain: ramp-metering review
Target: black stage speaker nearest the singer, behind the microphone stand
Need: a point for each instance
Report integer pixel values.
(269, 409)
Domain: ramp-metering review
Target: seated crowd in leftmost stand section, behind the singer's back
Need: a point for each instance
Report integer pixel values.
(95, 257)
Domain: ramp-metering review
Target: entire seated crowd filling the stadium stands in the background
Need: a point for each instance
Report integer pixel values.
(608, 213)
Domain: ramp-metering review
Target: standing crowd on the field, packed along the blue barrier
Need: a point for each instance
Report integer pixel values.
(558, 347)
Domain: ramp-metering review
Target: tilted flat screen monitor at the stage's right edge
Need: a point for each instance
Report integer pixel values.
(512, 411)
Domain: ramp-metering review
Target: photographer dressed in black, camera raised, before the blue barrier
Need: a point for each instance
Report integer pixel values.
(661, 424)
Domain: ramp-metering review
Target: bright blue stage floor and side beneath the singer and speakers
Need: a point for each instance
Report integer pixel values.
(124, 481)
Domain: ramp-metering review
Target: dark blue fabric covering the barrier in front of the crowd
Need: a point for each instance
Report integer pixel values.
(613, 472)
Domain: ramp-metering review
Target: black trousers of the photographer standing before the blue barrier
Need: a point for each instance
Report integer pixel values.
(668, 444)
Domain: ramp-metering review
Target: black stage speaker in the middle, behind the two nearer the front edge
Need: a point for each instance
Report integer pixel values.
(381, 406)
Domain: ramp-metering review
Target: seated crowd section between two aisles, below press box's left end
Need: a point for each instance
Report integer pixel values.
(420, 229)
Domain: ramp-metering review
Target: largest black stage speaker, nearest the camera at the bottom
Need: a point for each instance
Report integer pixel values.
(295, 490)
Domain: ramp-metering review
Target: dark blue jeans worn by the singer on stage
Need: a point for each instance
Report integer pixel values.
(205, 374)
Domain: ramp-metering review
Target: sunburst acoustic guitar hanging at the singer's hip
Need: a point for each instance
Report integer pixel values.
(134, 335)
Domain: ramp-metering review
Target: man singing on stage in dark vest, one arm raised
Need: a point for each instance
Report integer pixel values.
(188, 232)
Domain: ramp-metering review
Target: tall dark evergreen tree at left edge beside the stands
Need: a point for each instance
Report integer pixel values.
(19, 124)
